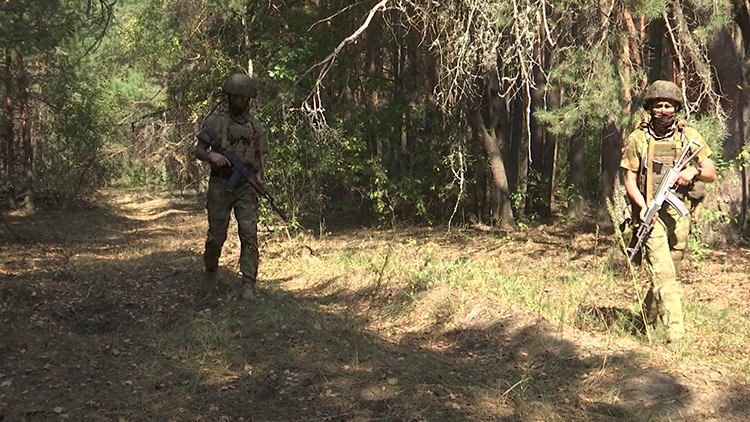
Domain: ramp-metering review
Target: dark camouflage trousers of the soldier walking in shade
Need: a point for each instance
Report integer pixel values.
(219, 205)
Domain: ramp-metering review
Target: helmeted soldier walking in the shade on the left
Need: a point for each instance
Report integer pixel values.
(238, 130)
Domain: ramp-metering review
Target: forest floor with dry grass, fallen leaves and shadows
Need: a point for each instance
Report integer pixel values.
(100, 320)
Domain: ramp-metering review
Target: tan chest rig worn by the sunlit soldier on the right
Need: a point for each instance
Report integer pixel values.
(660, 158)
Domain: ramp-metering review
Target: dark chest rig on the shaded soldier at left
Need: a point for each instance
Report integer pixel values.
(243, 139)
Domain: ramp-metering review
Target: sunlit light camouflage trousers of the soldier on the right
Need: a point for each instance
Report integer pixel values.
(665, 249)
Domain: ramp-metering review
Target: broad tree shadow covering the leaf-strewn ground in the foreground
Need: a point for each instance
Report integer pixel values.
(107, 335)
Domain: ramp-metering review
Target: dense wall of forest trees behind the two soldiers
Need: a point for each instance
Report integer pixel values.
(495, 111)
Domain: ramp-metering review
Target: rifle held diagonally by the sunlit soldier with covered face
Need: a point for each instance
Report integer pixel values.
(665, 193)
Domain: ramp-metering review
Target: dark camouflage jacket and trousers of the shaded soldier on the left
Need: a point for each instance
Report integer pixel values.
(246, 137)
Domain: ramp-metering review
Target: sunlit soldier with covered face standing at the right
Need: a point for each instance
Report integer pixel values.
(649, 152)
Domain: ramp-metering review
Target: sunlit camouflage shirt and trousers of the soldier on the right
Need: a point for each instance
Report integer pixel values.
(667, 242)
